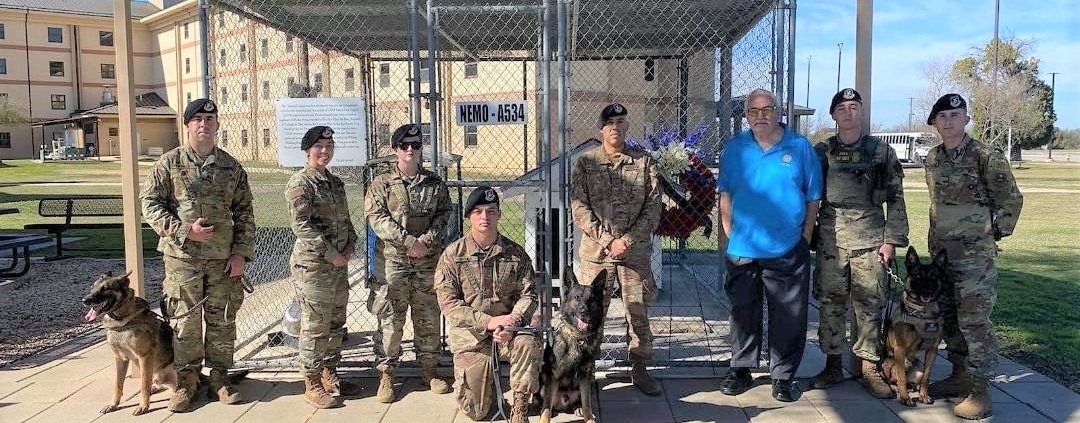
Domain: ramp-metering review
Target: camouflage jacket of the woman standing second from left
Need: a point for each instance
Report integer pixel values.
(320, 216)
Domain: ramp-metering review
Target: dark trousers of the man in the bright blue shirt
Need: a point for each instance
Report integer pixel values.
(786, 282)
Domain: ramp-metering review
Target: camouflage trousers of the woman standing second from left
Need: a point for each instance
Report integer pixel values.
(323, 293)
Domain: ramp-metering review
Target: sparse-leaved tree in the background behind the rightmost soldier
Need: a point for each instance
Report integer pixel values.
(1006, 95)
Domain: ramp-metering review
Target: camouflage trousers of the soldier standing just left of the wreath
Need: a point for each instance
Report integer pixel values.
(639, 291)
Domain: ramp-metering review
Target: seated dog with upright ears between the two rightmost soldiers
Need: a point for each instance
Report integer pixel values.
(916, 328)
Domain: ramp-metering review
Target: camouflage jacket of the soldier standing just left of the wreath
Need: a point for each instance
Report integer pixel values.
(615, 198)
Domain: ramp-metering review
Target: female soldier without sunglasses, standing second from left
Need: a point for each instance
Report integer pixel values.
(326, 240)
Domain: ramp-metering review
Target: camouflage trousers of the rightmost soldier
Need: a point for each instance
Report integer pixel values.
(968, 298)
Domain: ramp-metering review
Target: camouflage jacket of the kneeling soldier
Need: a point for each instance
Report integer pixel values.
(474, 286)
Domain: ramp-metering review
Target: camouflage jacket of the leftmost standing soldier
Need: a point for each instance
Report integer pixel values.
(183, 187)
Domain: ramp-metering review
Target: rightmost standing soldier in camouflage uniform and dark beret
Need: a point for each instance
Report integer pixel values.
(974, 203)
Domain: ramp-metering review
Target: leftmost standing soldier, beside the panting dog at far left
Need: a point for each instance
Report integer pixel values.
(198, 201)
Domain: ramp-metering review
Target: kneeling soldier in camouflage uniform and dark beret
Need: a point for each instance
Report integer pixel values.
(484, 283)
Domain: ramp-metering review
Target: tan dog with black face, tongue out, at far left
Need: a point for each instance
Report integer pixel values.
(136, 335)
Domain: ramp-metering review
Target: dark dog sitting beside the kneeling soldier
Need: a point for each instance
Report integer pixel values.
(568, 373)
